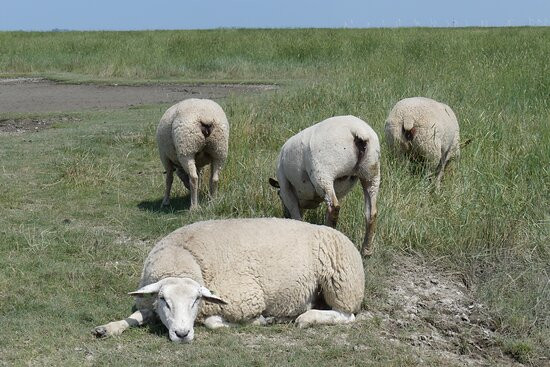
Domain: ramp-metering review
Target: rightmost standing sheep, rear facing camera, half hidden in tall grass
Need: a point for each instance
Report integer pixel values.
(426, 129)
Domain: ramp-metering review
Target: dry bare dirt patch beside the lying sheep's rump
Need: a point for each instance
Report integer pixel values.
(436, 315)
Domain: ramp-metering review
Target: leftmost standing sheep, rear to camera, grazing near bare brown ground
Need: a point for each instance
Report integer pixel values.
(192, 134)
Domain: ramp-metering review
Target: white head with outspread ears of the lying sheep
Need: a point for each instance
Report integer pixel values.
(177, 304)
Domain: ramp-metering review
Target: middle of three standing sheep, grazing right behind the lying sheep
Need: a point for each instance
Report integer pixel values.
(323, 162)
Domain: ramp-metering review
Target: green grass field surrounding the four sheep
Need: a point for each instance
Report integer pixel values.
(79, 202)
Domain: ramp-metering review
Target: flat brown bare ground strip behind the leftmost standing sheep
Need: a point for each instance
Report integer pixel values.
(35, 95)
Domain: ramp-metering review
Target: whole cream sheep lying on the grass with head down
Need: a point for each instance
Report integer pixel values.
(261, 269)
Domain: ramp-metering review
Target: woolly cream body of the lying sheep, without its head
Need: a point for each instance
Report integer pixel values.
(270, 267)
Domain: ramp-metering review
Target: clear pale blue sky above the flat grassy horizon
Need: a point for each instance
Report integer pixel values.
(38, 15)
